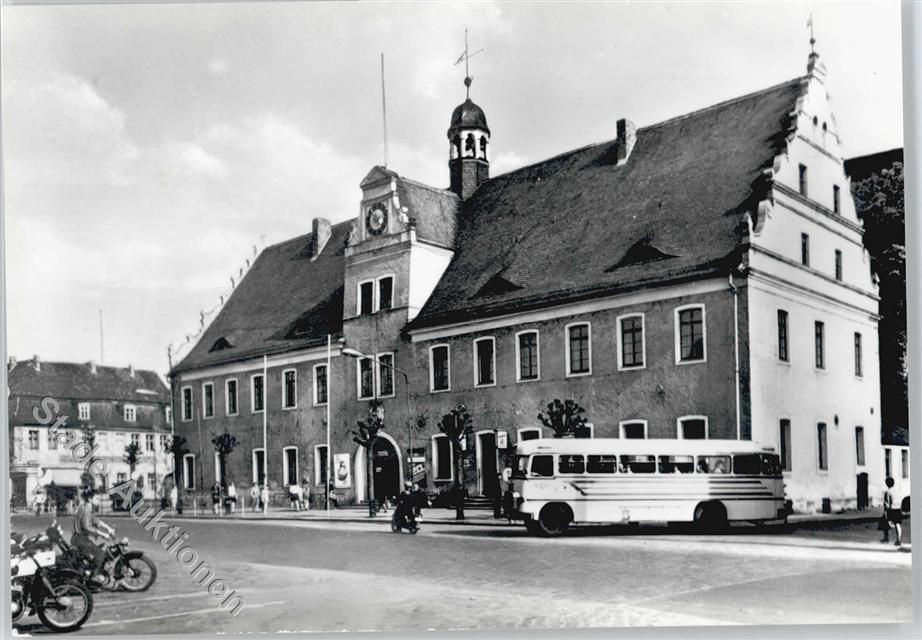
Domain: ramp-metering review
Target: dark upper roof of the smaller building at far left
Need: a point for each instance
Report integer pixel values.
(72, 381)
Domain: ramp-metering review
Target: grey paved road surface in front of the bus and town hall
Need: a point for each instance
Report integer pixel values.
(319, 576)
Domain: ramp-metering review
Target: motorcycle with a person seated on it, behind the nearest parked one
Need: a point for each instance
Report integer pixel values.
(122, 569)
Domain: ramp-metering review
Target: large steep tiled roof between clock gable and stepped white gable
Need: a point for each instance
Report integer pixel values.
(578, 225)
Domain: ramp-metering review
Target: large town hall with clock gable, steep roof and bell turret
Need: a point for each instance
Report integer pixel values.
(703, 277)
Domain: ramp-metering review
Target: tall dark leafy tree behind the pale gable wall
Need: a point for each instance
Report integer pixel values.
(880, 204)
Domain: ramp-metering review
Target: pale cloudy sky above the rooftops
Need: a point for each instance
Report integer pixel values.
(150, 150)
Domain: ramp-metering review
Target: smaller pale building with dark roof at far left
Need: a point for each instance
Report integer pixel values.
(112, 407)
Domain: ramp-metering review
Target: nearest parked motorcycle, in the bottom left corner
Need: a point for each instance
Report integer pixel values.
(57, 594)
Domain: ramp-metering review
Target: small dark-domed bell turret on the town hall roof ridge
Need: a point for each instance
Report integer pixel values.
(469, 141)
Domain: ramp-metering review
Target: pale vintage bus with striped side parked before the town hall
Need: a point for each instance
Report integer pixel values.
(559, 482)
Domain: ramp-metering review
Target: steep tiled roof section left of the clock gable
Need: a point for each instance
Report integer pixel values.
(287, 300)
